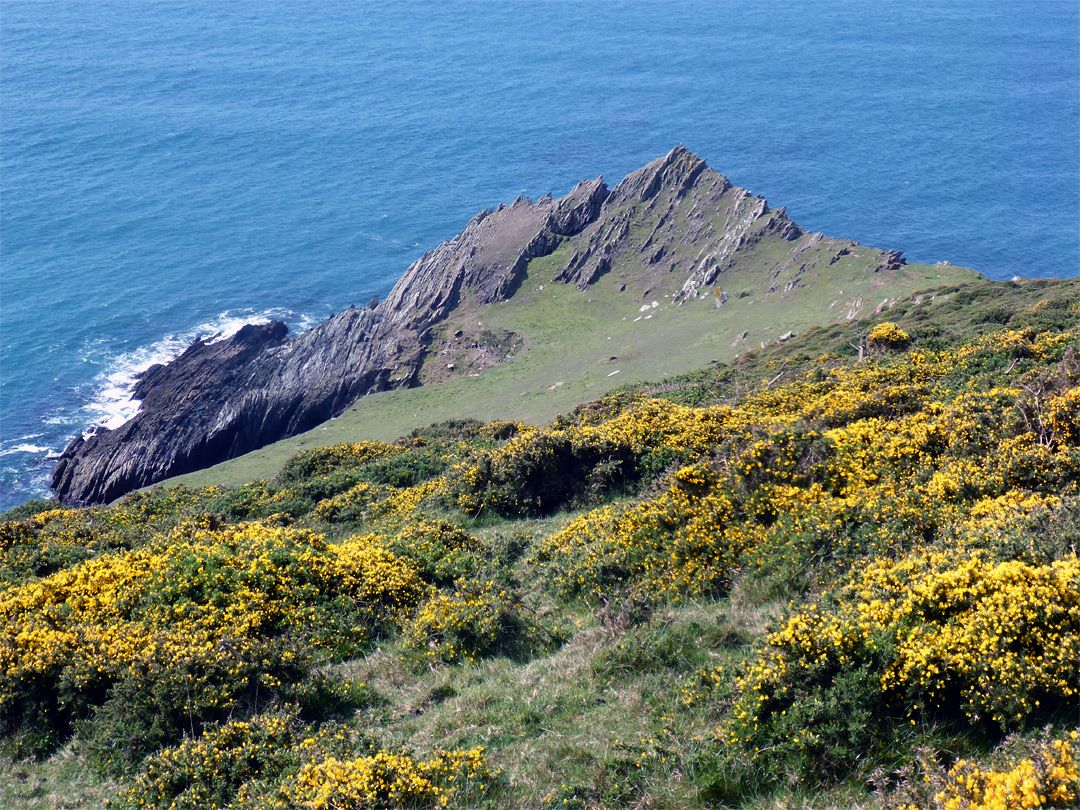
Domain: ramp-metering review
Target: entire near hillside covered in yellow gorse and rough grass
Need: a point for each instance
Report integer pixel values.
(840, 572)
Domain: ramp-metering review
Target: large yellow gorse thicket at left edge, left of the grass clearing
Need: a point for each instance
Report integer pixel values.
(193, 623)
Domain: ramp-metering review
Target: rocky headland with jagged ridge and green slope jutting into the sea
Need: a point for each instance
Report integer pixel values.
(556, 286)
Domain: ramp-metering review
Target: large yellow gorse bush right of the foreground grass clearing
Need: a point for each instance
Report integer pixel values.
(935, 637)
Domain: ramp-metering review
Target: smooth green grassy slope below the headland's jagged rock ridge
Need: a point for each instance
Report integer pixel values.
(571, 336)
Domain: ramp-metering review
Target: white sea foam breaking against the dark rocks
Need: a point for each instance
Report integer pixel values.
(112, 403)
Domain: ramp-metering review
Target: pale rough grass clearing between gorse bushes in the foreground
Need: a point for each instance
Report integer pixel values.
(575, 723)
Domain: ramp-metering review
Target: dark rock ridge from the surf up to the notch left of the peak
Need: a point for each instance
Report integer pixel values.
(221, 400)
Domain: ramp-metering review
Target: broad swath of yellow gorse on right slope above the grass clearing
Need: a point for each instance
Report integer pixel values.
(866, 460)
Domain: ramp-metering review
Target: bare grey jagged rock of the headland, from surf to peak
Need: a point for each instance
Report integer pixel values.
(221, 400)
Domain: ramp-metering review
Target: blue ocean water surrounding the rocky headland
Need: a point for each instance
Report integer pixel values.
(172, 169)
